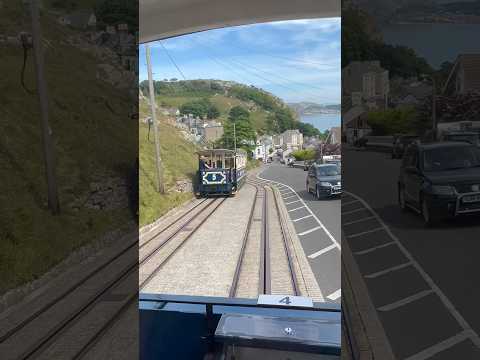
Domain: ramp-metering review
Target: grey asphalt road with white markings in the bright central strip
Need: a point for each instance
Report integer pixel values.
(317, 223)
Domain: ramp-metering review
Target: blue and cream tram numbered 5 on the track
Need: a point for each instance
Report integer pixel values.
(220, 172)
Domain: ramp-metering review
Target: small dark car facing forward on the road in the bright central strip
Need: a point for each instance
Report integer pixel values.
(324, 180)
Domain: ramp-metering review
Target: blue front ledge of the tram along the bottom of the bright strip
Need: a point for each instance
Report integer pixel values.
(212, 328)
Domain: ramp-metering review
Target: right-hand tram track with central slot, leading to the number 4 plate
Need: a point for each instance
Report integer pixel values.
(258, 241)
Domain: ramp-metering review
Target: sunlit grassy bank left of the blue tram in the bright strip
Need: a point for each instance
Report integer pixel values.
(179, 163)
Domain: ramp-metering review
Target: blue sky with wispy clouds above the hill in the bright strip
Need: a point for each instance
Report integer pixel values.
(296, 60)
